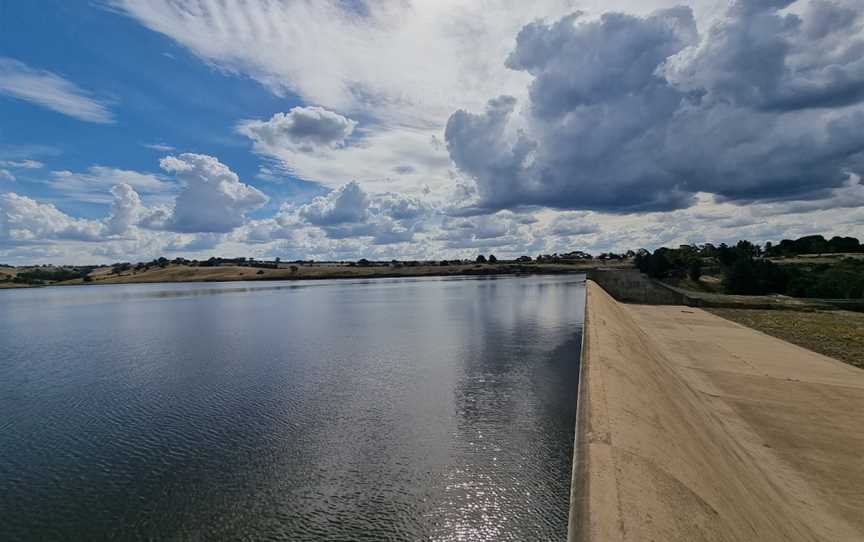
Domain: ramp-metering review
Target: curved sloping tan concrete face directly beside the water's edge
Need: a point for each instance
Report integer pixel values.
(654, 457)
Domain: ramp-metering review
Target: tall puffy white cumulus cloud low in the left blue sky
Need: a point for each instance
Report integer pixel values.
(211, 200)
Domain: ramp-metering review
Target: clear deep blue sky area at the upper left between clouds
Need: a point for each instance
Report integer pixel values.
(156, 91)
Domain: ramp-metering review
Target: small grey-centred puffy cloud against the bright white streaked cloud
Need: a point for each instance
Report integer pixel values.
(303, 128)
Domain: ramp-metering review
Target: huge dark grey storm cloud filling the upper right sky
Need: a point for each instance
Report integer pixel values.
(632, 114)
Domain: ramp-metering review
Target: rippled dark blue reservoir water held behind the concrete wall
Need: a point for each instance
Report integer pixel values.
(423, 409)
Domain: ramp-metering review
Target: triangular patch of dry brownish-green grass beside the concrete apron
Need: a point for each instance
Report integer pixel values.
(838, 334)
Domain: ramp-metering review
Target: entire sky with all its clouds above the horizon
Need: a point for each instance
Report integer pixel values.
(347, 129)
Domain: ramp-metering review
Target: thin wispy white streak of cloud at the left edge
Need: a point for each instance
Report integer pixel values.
(51, 91)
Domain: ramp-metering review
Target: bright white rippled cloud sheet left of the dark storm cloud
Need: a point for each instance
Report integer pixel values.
(402, 67)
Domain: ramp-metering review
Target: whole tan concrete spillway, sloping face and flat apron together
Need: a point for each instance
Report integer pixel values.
(695, 428)
